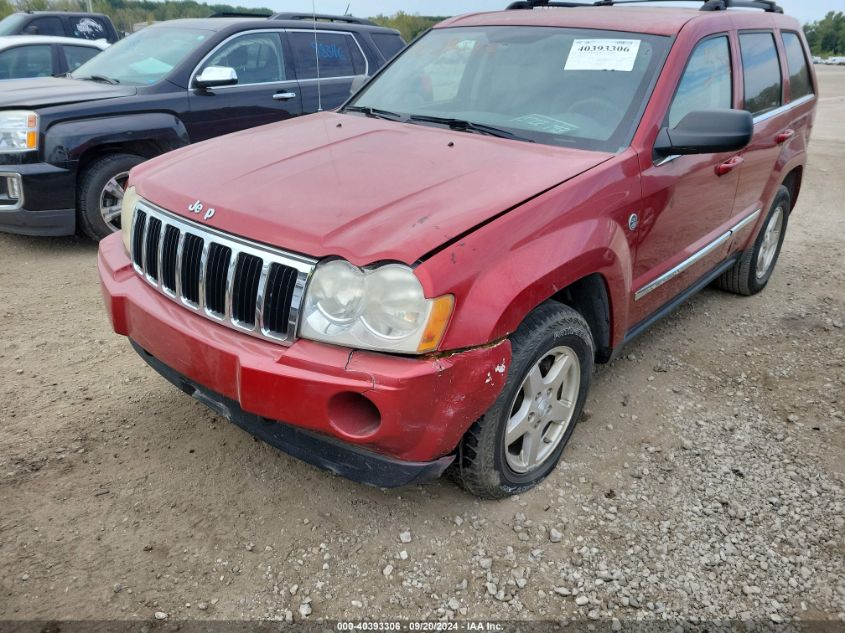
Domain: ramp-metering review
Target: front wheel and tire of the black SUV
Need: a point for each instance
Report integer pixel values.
(98, 190)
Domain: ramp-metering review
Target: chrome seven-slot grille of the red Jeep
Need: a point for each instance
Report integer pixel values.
(243, 285)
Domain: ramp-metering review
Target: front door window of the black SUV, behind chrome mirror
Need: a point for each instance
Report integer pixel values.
(256, 57)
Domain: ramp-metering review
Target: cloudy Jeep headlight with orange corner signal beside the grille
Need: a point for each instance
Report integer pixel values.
(382, 308)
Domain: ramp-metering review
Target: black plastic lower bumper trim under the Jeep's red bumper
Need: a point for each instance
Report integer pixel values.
(324, 452)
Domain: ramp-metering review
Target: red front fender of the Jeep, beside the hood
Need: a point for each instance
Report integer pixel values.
(503, 270)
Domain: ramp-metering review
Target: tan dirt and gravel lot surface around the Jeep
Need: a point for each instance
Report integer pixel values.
(706, 483)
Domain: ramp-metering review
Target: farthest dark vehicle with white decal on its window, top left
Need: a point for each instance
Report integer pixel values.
(85, 26)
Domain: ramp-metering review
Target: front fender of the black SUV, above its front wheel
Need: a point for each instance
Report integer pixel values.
(67, 141)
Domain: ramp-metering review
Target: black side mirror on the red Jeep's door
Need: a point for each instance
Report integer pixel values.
(707, 132)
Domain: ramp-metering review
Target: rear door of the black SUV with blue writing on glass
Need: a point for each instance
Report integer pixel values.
(333, 56)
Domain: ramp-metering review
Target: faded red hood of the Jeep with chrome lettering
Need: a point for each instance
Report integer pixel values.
(359, 188)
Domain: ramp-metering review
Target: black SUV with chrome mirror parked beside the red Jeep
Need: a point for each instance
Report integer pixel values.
(67, 144)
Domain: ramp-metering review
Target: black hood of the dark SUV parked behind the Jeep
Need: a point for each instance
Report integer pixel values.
(50, 91)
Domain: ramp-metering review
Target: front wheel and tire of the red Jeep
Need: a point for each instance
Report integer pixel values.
(492, 465)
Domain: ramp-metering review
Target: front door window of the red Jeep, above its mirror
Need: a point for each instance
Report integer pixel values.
(707, 80)
